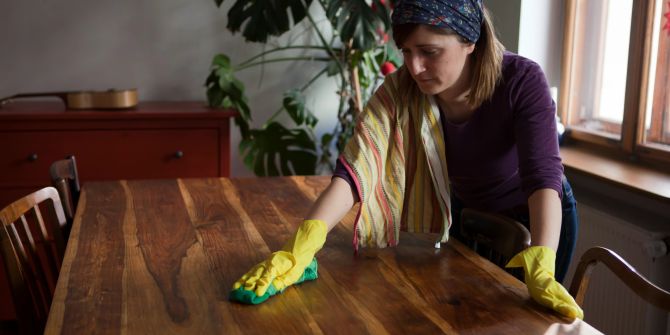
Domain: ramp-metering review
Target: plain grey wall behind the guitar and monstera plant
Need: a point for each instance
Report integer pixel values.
(162, 47)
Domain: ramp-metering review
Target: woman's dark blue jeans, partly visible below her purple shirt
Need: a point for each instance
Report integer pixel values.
(569, 227)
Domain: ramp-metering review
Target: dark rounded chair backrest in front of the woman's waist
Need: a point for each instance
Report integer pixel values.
(494, 236)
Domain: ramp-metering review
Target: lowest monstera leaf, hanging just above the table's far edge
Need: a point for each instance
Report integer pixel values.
(274, 150)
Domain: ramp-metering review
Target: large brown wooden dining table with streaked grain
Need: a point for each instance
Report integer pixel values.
(160, 256)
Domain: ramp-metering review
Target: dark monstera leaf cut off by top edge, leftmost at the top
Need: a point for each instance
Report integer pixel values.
(264, 18)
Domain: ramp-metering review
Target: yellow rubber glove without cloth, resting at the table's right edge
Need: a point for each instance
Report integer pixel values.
(538, 264)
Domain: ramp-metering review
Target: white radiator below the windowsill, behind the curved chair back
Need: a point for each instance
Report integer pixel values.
(609, 305)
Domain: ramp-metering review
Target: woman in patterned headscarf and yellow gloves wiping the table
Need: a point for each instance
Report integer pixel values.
(462, 123)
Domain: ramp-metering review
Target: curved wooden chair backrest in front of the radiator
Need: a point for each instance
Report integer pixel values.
(624, 271)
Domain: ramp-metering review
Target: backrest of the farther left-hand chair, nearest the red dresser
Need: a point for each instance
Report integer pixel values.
(65, 179)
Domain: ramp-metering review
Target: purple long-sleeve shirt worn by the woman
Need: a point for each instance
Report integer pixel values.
(508, 148)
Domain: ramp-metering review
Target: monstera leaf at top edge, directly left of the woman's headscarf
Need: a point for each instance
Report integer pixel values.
(357, 22)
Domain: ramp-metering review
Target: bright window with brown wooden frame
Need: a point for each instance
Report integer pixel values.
(615, 85)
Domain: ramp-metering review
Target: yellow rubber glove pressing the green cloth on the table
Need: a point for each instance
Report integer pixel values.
(285, 267)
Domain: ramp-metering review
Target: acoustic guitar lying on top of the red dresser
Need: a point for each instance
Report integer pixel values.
(110, 99)
